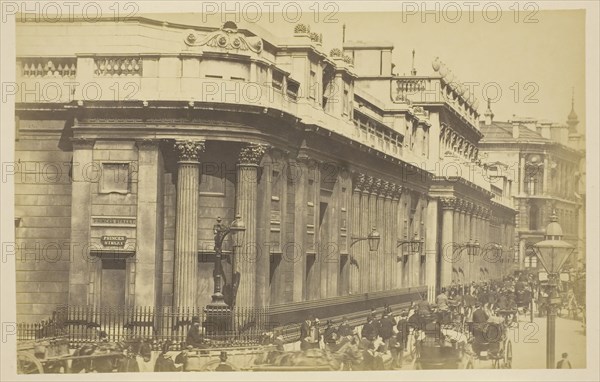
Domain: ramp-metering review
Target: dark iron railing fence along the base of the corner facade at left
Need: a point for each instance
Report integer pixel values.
(220, 327)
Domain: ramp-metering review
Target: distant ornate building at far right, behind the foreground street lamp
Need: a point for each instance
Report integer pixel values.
(547, 163)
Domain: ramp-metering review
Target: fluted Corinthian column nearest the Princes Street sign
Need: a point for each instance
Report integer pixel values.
(186, 228)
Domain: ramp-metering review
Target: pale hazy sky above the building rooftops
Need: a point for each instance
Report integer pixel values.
(529, 63)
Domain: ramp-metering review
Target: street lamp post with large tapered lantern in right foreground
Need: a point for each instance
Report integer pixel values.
(553, 252)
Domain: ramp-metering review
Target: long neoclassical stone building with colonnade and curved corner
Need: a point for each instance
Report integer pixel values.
(133, 137)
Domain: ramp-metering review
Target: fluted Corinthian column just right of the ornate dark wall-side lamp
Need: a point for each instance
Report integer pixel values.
(245, 205)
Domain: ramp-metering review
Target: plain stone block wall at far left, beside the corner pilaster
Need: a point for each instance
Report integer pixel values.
(43, 218)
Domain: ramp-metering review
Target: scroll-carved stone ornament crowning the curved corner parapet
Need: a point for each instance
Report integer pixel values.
(227, 37)
